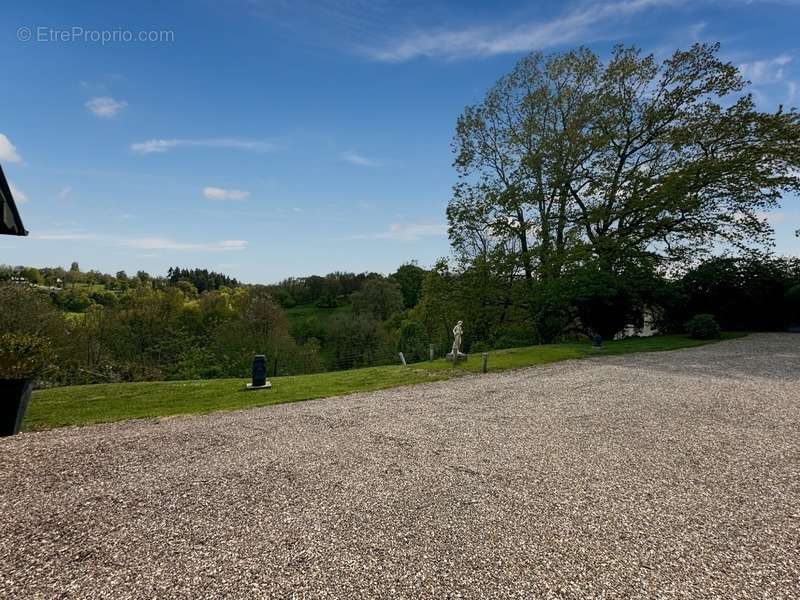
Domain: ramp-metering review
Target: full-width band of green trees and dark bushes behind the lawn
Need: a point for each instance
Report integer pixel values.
(166, 331)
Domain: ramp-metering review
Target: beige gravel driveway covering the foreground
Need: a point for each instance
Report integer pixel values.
(665, 475)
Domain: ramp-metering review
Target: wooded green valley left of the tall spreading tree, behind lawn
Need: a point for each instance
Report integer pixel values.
(193, 323)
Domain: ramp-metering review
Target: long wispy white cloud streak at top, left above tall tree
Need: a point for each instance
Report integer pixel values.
(581, 24)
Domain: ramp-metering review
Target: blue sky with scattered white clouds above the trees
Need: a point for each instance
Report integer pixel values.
(268, 139)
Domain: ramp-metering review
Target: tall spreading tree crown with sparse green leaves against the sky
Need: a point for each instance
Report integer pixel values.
(569, 160)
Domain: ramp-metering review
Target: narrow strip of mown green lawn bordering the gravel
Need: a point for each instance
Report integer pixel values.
(81, 405)
